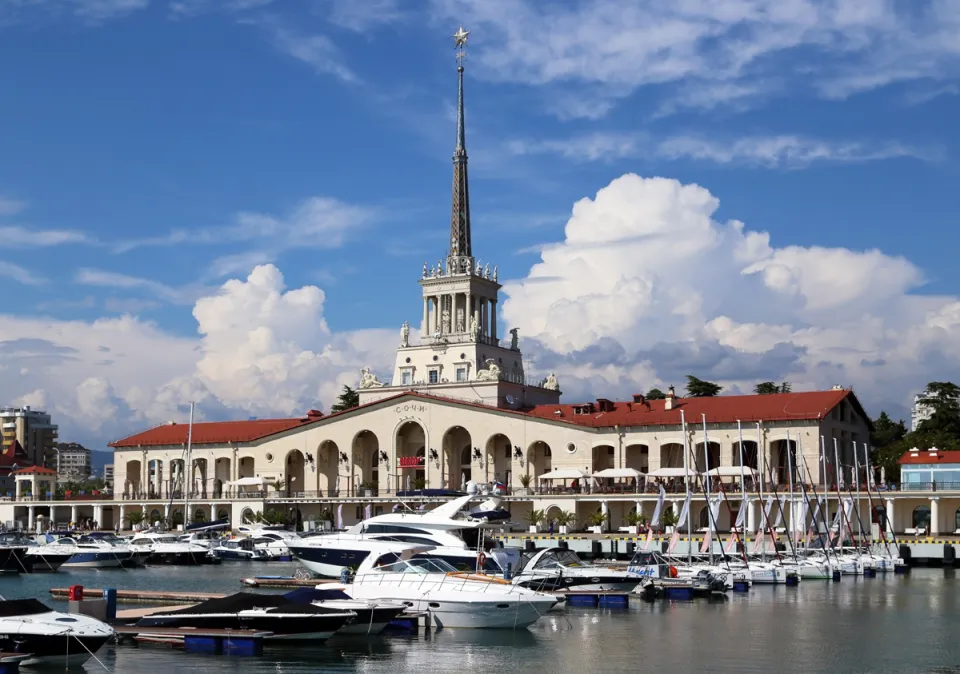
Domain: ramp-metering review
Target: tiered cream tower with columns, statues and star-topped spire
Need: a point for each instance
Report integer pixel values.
(459, 353)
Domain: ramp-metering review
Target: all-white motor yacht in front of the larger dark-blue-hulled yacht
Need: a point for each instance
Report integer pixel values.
(452, 598)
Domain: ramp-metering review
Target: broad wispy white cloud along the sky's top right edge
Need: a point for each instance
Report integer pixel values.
(718, 50)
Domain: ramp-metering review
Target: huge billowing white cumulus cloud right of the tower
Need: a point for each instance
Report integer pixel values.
(647, 286)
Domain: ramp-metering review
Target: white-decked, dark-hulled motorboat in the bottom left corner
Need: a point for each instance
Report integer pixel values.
(29, 626)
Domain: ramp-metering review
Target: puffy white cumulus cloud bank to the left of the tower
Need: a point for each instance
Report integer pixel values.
(261, 350)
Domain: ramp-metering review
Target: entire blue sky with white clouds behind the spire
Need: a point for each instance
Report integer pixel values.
(151, 151)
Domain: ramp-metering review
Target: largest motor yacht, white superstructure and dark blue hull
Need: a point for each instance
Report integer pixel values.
(444, 526)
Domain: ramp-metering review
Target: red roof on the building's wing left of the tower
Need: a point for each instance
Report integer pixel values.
(211, 432)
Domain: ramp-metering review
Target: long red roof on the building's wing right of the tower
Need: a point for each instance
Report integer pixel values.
(810, 405)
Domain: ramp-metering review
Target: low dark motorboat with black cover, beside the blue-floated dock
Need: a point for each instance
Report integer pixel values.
(284, 619)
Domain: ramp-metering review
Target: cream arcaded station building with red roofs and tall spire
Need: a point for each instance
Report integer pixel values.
(459, 408)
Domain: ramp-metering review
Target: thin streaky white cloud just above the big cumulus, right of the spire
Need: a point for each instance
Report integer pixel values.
(786, 151)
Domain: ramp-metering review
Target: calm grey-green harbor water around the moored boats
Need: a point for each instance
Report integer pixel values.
(884, 624)
